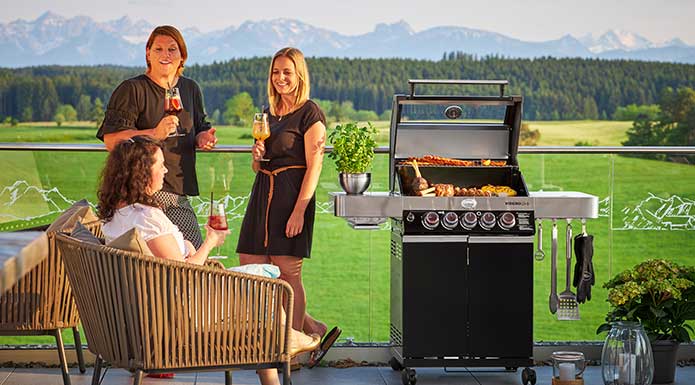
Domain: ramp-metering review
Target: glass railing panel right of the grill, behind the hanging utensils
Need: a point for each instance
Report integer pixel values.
(586, 173)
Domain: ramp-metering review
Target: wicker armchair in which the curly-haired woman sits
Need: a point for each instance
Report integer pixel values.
(151, 315)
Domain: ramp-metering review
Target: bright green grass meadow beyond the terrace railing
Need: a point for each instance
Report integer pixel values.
(347, 278)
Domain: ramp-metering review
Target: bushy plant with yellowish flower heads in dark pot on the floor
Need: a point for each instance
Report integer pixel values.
(660, 295)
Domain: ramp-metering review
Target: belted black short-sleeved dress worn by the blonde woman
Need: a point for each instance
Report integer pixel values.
(284, 147)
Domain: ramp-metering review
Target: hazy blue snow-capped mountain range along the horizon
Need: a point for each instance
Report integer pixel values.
(53, 39)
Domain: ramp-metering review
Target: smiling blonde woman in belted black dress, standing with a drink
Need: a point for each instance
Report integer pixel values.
(279, 221)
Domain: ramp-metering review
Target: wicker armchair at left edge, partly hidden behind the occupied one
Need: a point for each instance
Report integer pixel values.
(41, 303)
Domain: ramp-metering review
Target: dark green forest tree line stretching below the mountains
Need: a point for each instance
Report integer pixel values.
(553, 88)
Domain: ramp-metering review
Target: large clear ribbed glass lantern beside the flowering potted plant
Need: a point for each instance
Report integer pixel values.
(627, 355)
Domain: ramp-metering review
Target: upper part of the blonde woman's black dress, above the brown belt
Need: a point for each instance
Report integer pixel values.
(285, 145)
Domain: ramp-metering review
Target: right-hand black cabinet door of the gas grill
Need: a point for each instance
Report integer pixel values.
(500, 281)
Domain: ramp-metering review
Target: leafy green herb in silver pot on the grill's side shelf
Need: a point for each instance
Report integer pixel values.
(353, 153)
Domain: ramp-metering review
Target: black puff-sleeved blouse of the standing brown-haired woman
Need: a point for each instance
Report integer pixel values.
(138, 104)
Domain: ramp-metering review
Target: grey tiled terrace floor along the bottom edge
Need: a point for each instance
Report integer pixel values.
(371, 375)
